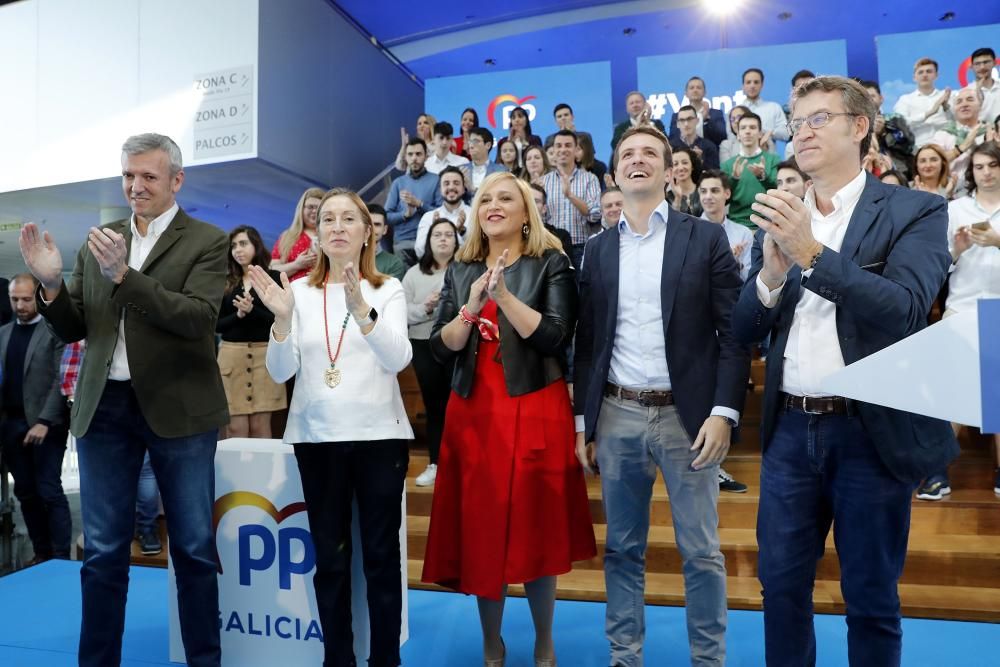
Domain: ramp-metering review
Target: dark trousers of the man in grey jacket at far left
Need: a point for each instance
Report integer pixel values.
(37, 472)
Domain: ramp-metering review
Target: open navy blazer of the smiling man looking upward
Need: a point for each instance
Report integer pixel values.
(699, 284)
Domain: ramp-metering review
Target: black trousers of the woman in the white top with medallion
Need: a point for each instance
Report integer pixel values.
(332, 475)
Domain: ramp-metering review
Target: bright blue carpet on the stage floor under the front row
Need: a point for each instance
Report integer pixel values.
(40, 614)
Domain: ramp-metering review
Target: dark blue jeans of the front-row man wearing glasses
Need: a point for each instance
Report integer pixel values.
(818, 470)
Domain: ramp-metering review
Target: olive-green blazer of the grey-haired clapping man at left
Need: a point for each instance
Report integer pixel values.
(170, 307)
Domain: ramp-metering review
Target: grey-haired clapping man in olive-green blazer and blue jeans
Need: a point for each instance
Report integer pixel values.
(145, 293)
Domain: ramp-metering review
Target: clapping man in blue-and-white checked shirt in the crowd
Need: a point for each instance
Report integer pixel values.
(573, 194)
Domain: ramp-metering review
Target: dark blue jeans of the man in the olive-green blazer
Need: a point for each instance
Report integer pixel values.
(111, 456)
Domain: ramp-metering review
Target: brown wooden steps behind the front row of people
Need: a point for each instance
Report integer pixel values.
(952, 569)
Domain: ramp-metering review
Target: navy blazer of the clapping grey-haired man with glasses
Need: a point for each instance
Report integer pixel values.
(891, 265)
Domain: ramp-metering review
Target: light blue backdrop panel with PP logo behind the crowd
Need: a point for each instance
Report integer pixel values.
(585, 87)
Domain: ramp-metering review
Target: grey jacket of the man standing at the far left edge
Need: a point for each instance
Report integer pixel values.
(42, 381)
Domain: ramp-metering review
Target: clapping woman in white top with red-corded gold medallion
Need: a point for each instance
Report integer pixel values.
(343, 334)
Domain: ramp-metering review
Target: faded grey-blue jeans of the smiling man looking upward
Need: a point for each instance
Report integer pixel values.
(632, 442)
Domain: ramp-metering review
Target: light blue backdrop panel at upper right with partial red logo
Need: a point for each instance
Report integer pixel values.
(952, 49)
